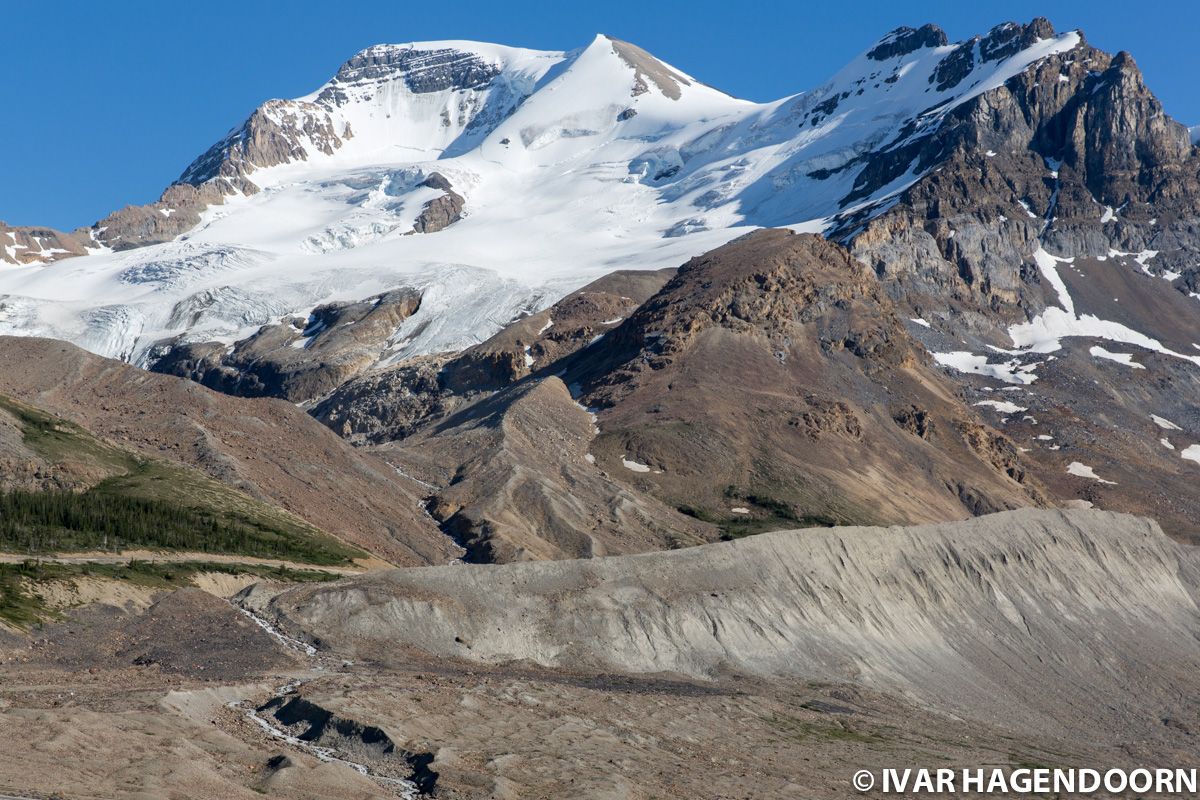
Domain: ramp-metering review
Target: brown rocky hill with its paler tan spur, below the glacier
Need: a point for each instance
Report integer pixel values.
(765, 384)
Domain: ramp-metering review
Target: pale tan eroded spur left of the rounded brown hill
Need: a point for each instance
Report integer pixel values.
(519, 484)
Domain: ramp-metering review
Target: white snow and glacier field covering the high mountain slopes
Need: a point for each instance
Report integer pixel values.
(573, 165)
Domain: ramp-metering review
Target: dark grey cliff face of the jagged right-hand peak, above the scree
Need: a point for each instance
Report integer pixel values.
(1036, 161)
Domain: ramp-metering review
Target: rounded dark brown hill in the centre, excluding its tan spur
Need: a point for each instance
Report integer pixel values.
(764, 377)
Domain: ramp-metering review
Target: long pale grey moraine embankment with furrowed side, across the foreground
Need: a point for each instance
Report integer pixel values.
(1024, 616)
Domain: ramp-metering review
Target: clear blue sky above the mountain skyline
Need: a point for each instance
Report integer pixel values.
(109, 103)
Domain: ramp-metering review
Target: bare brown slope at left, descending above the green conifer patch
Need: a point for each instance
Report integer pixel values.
(267, 449)
